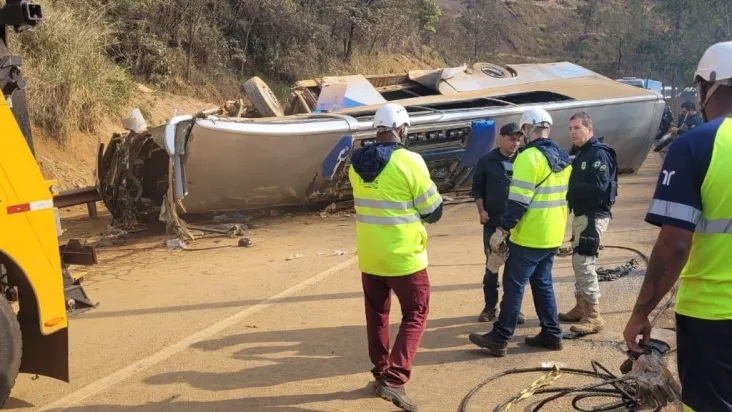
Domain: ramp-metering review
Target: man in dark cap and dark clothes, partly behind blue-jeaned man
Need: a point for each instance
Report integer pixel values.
(490, 190)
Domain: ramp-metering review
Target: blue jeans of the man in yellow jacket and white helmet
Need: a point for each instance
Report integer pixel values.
(535, 267)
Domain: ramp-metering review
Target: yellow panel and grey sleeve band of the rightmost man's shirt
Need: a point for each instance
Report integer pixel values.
(705, 289)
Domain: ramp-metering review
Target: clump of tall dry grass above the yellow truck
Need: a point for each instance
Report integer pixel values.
(72, 85)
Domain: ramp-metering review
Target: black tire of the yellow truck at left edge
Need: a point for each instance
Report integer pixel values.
(11, 348)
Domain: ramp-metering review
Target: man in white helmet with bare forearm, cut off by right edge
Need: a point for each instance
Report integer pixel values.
(693, 206)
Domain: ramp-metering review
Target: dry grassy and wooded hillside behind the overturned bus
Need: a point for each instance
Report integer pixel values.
(86, 52)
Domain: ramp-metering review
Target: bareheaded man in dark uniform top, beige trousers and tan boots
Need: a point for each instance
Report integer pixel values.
(591, 194)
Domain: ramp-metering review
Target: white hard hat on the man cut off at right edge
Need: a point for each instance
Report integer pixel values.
(714, 70)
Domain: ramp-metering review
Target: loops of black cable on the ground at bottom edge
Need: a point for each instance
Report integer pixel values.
(622, 389)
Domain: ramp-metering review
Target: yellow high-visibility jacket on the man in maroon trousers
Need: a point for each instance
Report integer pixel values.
(391, 237)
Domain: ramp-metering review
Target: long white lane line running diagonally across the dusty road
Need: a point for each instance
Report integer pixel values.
(165, 353)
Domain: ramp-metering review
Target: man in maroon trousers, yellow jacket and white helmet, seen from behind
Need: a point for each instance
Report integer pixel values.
(394, 196)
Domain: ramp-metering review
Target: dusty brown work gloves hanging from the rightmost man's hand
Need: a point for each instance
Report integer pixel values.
(655, 386)
